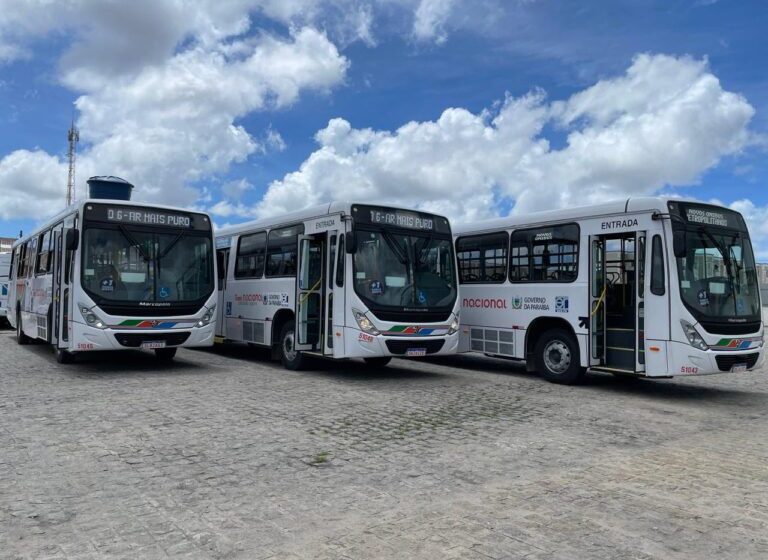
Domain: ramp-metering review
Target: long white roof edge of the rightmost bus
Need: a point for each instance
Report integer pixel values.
(611, 208)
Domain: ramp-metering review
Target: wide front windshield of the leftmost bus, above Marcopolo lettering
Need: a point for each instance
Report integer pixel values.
(126, 264)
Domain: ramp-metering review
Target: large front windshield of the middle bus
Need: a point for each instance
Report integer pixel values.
(403, 270)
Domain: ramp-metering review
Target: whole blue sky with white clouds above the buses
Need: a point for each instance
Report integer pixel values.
(261, 106)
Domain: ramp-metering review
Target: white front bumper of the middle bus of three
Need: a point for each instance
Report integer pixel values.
(358, 344)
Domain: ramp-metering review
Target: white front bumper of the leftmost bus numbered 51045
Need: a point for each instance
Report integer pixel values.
(91, 339)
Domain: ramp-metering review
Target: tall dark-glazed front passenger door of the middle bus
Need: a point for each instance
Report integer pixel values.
(309, 292)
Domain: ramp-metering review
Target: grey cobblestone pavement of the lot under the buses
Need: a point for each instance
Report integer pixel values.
(224, 454)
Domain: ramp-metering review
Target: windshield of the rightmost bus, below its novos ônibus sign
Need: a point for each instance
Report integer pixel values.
(718, 277)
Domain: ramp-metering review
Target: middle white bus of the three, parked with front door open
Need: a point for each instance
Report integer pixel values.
(373, 283)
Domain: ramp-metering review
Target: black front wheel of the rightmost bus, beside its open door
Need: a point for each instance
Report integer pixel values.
(557, 357)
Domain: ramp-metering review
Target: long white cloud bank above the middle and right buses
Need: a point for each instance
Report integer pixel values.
(663, 123)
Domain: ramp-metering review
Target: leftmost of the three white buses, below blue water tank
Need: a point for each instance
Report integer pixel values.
(109, 275)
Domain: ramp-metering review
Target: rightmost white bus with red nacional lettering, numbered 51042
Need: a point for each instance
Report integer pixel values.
(644, 287)
